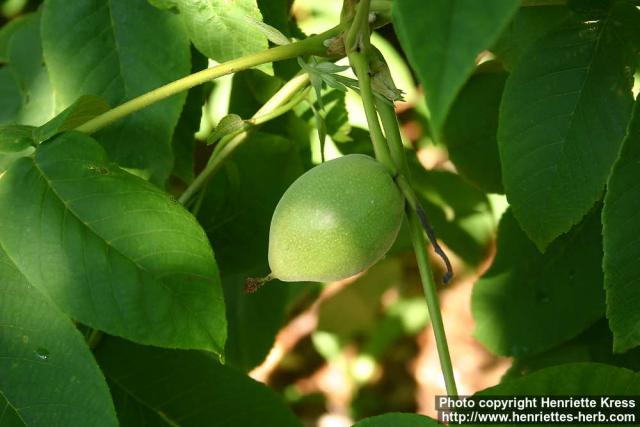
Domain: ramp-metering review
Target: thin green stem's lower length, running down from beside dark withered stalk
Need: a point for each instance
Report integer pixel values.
(429, 287)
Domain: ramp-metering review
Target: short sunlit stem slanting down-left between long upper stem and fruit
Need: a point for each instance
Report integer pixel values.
(270, 110)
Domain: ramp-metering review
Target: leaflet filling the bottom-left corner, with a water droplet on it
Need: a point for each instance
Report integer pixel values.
(48, 376)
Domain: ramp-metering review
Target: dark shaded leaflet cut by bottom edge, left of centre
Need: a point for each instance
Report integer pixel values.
(157, 387)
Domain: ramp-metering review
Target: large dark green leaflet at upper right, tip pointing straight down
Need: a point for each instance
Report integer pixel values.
(563, 116)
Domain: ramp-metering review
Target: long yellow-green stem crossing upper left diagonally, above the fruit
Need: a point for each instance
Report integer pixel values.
(311, 46)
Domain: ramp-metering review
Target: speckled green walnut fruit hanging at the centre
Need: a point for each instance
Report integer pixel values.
(336, 220)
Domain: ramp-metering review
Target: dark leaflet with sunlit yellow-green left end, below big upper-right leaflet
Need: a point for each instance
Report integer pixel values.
(528, 302)
